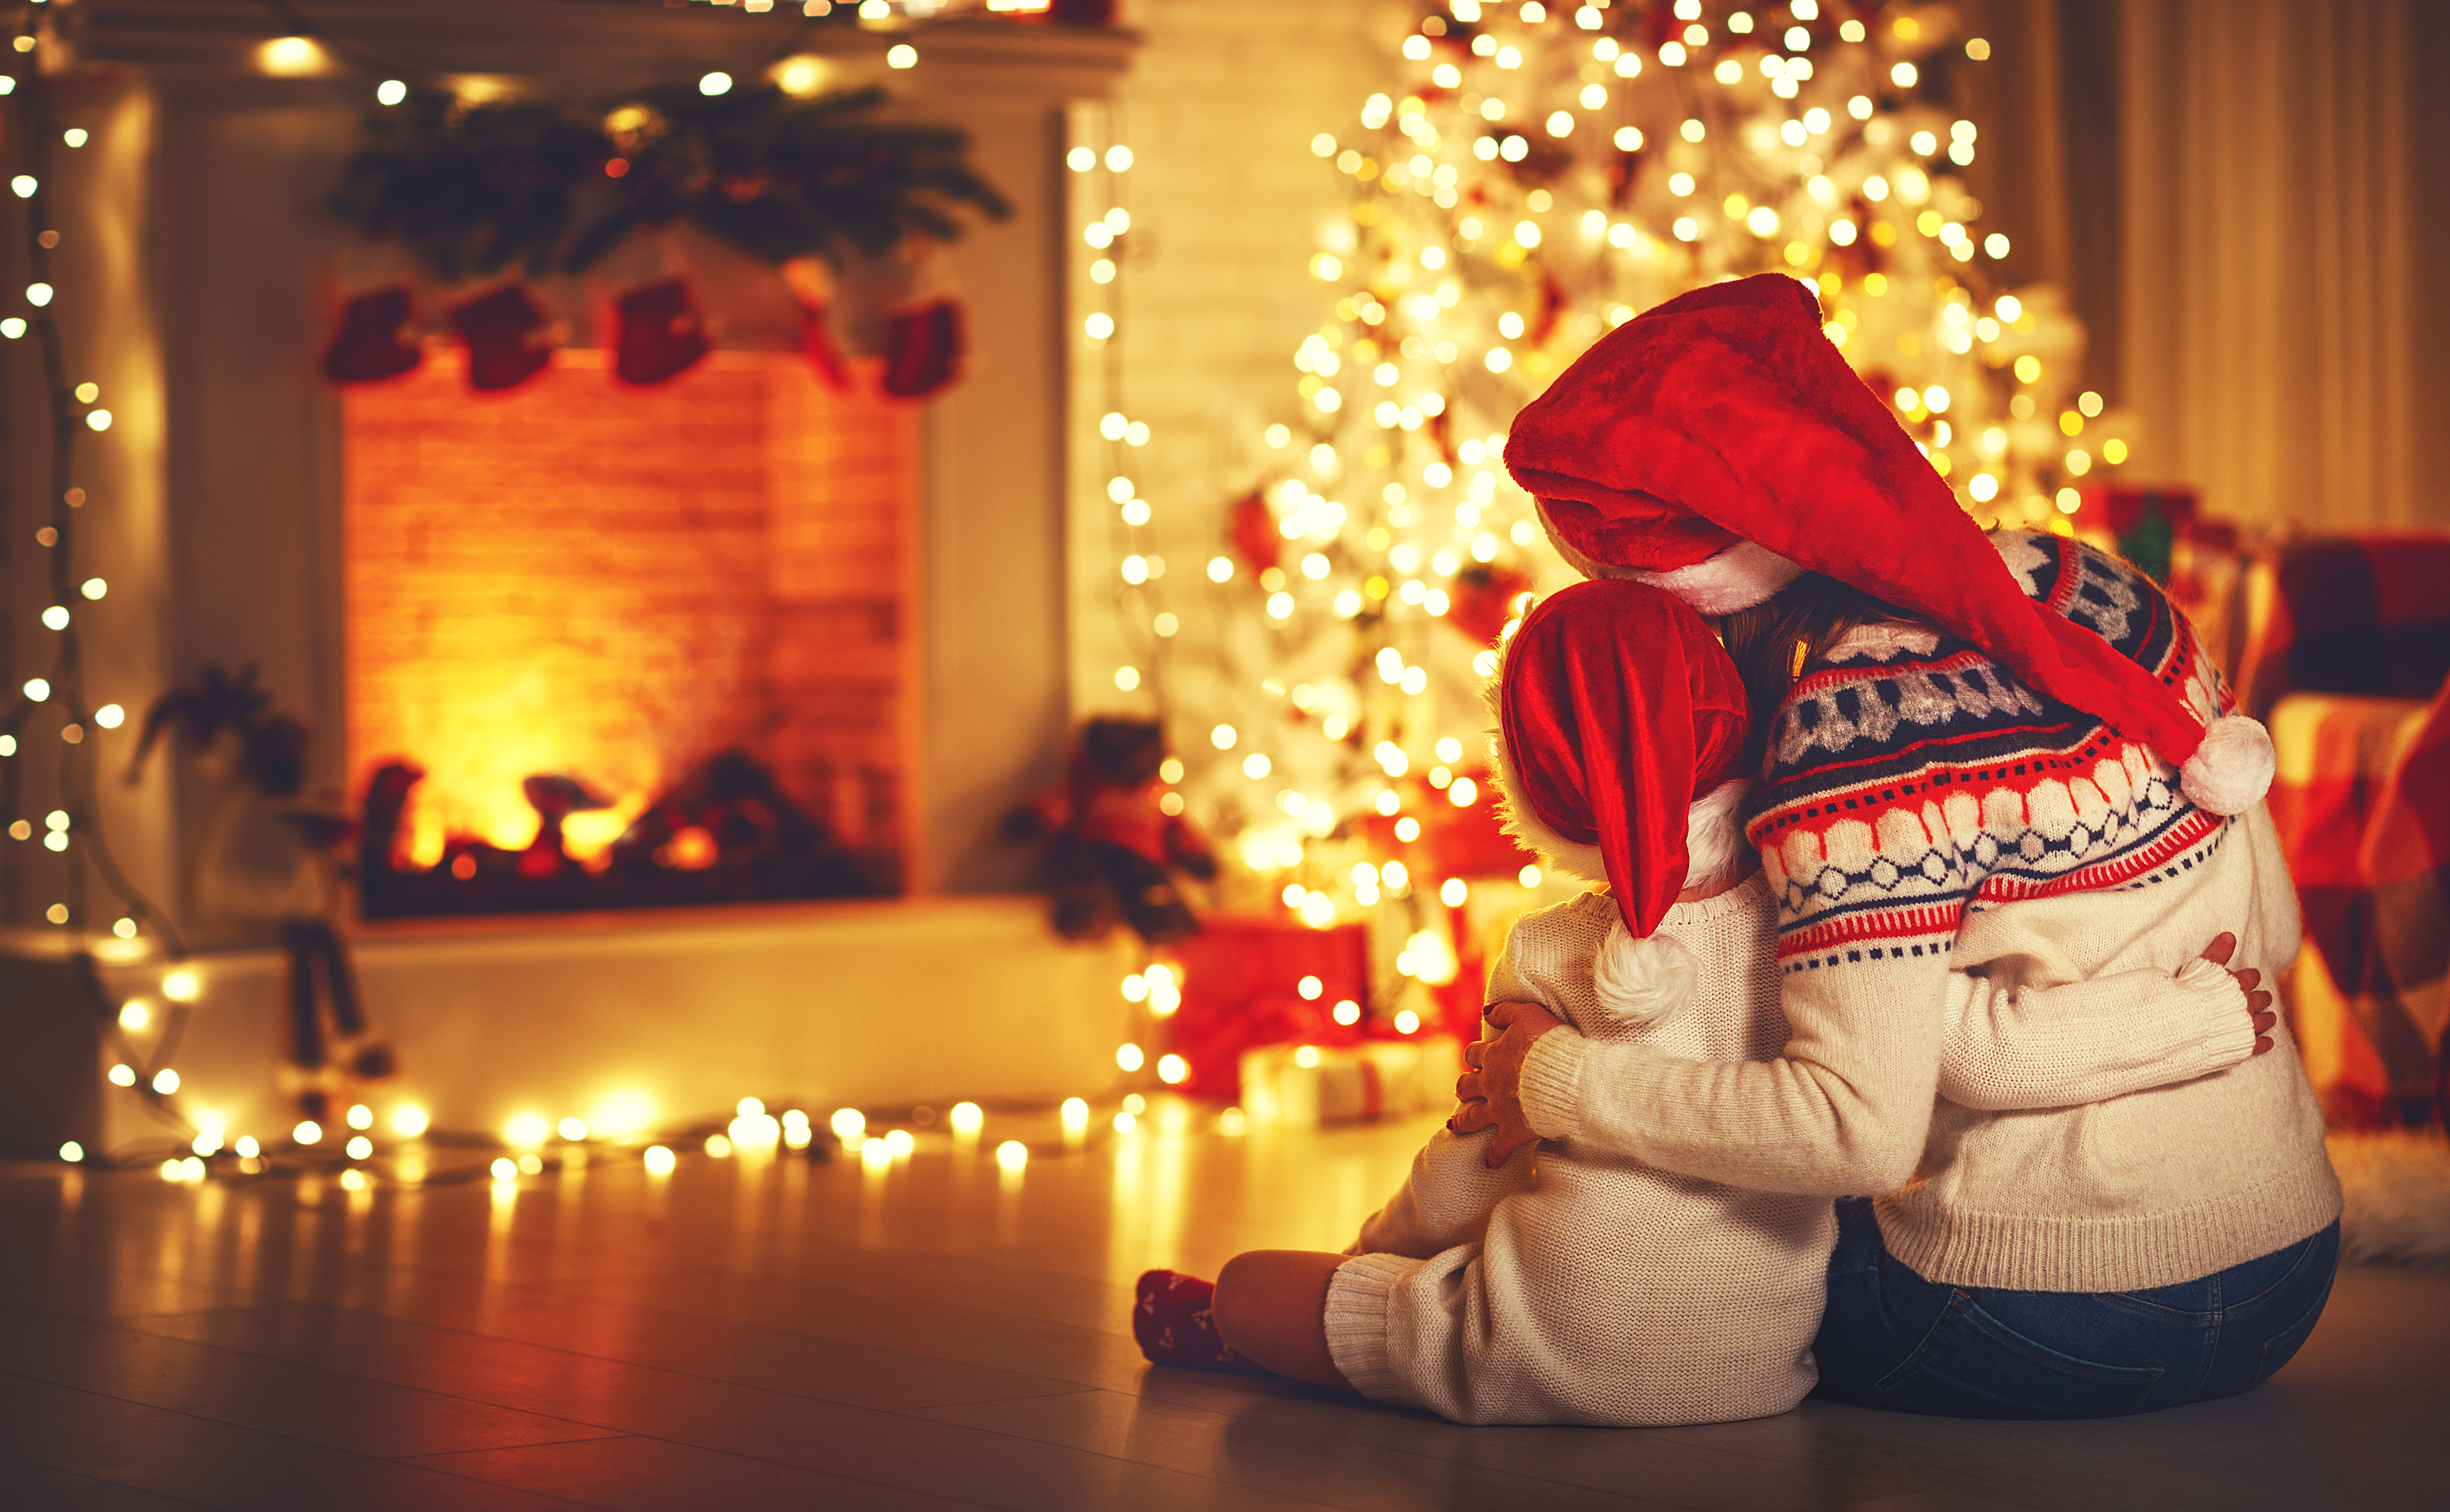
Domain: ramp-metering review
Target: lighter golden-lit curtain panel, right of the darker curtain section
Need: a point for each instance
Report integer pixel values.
(2275, 298)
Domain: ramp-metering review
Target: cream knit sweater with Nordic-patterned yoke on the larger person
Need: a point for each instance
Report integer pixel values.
(1927, 812)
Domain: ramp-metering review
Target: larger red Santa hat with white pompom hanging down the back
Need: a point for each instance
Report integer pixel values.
(1719, 447)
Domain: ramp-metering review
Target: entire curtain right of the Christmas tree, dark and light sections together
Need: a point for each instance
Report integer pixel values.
(2241, 200)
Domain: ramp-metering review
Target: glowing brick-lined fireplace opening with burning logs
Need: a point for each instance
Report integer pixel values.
(628, 648)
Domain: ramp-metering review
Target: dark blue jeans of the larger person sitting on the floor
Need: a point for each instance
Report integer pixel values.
(1893, 1339)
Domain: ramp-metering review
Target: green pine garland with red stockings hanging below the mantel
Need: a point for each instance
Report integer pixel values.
(530, 190)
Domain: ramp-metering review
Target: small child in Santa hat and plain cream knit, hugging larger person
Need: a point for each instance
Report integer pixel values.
(1589, 1288)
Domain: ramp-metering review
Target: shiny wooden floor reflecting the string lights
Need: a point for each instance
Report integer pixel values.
(790, 1334)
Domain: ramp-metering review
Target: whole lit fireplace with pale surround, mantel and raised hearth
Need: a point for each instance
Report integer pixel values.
(866, 602)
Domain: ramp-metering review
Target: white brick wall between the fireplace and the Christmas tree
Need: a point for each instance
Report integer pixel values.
(1214, 295)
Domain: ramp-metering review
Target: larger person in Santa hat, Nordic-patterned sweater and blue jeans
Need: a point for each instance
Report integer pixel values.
(1998, 756)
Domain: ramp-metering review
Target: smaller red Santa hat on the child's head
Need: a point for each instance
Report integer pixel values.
(1621, 744)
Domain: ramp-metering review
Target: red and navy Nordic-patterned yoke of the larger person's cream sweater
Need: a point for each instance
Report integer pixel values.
(1912, 778)
